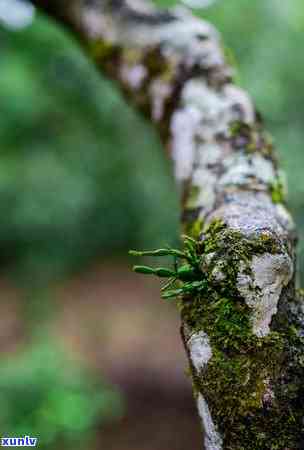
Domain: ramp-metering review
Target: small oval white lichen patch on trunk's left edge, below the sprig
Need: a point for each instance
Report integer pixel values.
(200, 350)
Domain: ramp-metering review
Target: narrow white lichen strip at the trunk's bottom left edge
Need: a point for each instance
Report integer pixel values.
(212, 439)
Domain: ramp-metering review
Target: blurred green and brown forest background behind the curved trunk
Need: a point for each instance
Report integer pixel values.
(83, 179)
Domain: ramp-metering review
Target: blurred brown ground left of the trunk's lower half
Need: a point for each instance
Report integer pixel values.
(115, 321)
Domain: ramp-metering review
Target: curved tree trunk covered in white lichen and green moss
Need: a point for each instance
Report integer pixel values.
(244, 334)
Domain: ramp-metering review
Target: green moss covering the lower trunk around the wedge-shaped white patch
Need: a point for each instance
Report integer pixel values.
(252, 383)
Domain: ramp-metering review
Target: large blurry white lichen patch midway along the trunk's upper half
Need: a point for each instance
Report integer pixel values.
(204, 114)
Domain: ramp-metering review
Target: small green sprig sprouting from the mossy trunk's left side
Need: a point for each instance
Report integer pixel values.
(186, 276)
